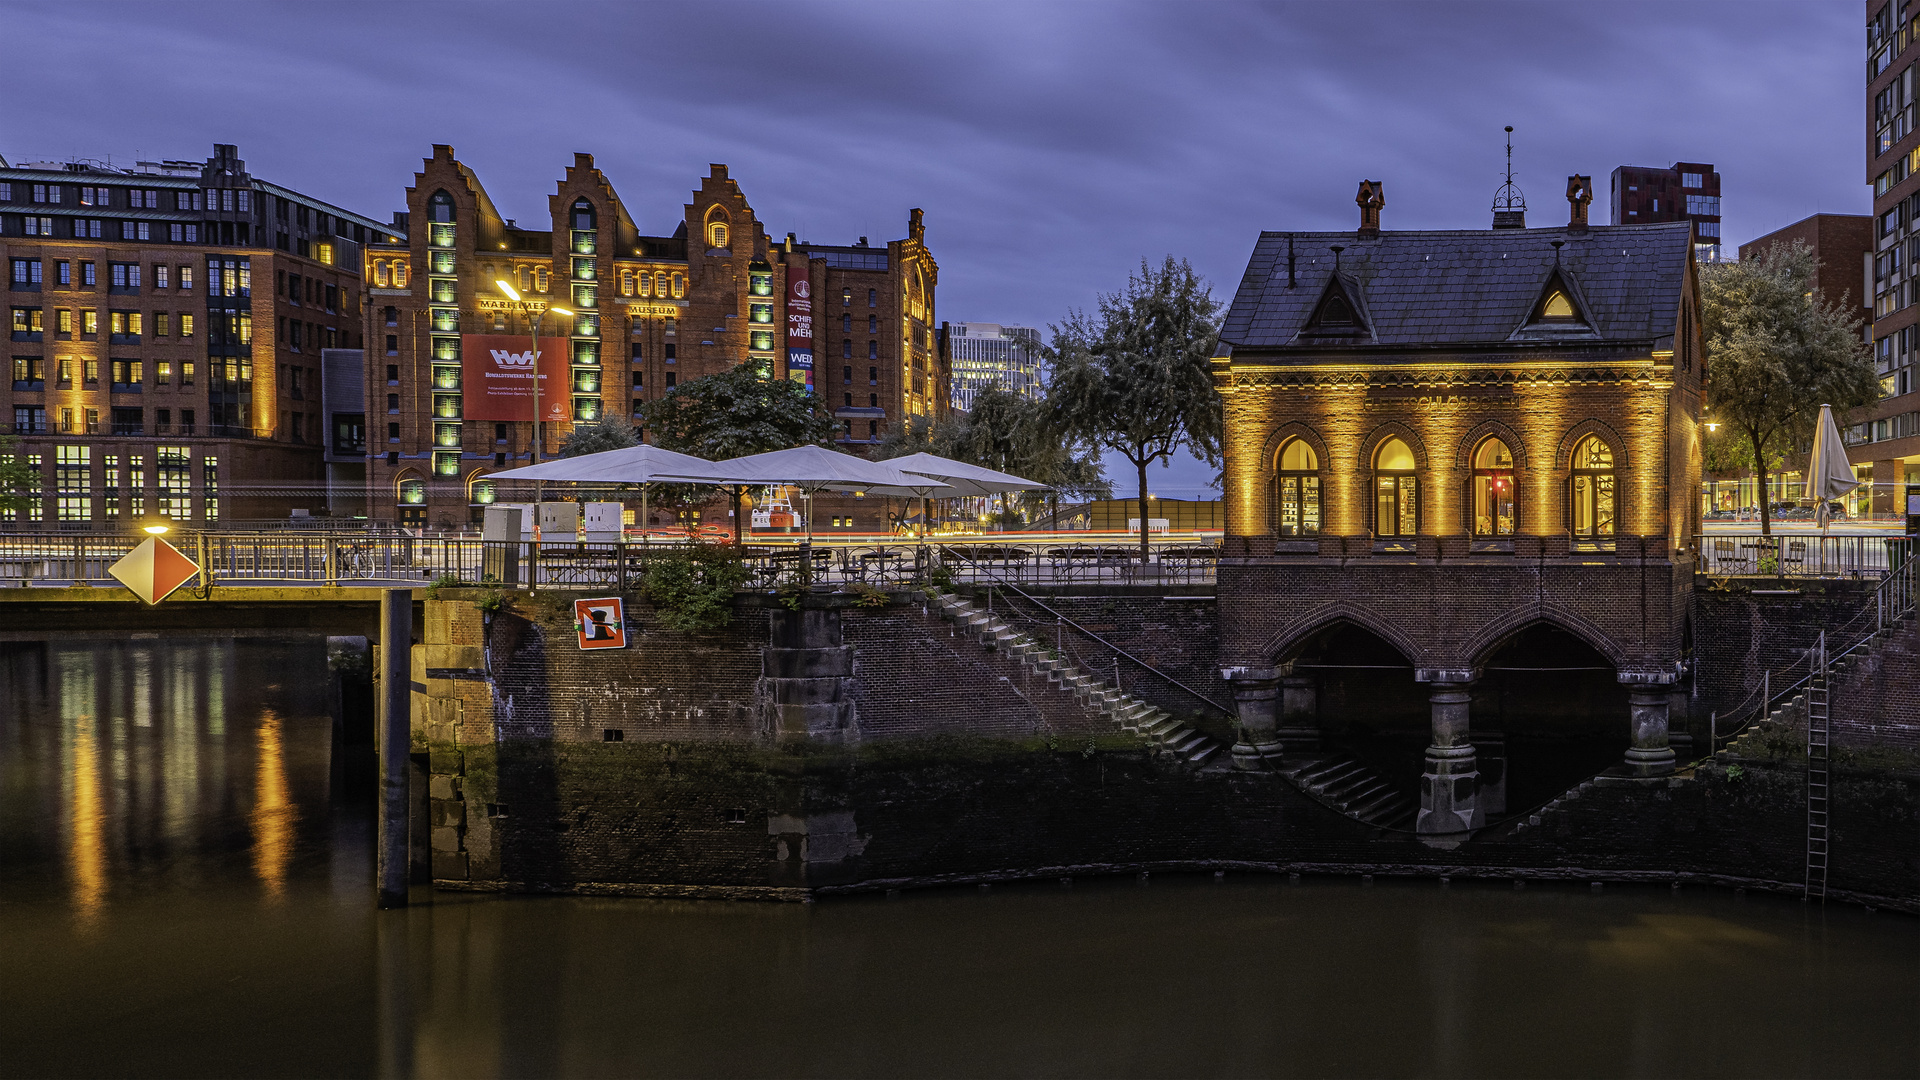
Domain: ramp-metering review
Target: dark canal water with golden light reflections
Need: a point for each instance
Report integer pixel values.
(185, 891)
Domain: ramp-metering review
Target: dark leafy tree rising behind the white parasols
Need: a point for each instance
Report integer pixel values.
(736, 412)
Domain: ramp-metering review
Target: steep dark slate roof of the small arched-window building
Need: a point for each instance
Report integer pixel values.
(1464, 287)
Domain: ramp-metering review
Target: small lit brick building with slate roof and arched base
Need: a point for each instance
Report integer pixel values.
(1460, 503)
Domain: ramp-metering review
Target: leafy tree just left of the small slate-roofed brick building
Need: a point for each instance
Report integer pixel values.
(1136, 378)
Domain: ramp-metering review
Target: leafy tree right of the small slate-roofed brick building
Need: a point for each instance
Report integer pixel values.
(1775, 355)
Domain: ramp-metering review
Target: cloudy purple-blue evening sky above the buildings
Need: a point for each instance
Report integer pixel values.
(1051, 145)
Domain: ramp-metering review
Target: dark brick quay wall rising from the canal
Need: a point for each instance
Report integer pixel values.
(673, 768)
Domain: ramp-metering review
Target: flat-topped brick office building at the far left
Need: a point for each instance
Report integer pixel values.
(166, 331)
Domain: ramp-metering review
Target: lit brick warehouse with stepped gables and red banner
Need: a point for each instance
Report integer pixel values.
(646, 314)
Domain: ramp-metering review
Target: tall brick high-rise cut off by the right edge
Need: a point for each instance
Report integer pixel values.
(1886, 443)
